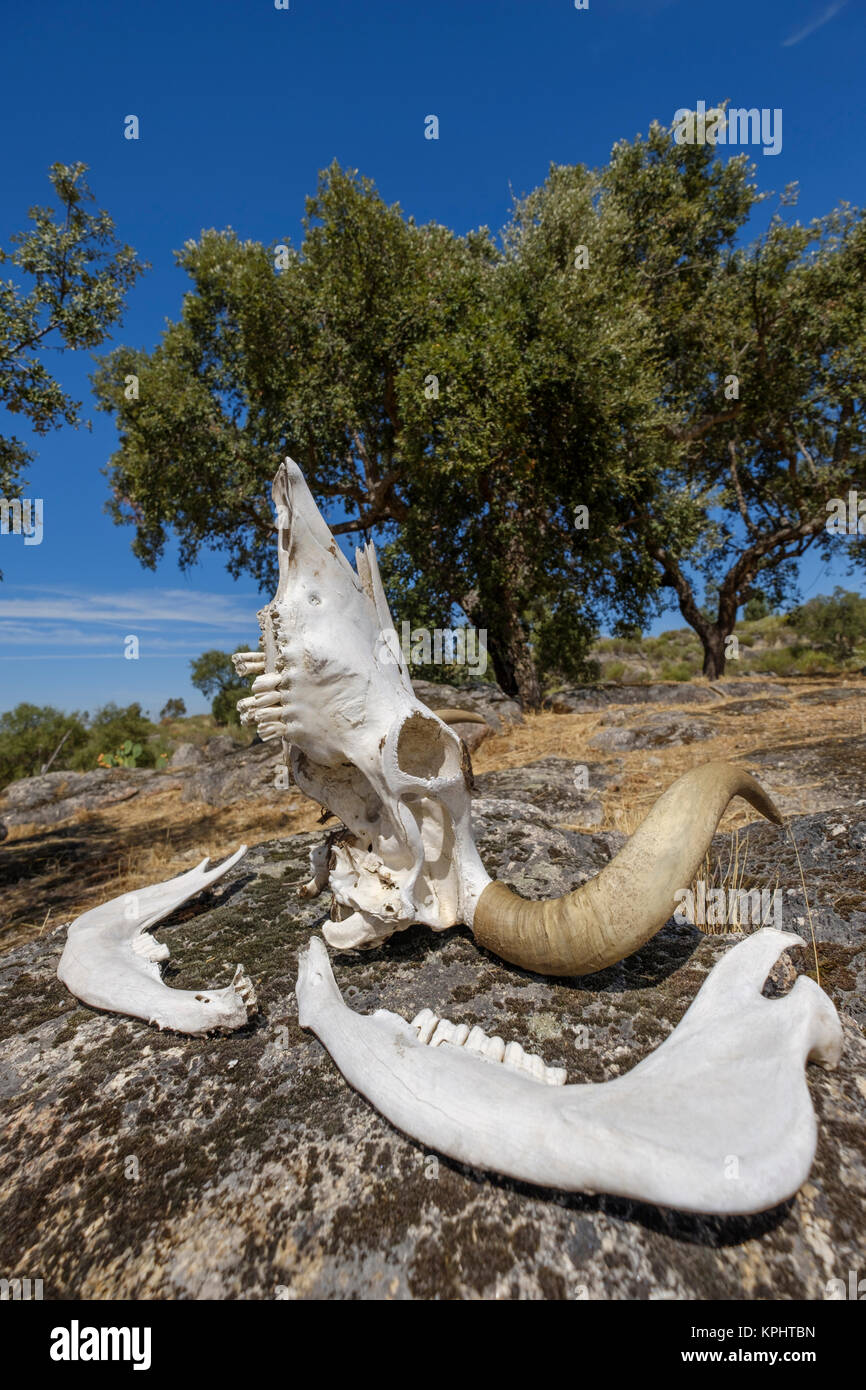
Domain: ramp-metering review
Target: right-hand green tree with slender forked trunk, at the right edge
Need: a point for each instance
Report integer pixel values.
(761, 375)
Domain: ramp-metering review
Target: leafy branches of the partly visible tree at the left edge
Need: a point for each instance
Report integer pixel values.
(81, 276)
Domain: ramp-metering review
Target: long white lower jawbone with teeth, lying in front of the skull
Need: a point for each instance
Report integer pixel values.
(718, 1120)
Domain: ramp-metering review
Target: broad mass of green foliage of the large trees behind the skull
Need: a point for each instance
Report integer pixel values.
(459, 398)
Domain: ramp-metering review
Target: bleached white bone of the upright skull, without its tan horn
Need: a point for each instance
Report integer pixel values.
(332, 683)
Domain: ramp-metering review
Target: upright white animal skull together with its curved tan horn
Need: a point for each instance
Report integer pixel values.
(333, 686)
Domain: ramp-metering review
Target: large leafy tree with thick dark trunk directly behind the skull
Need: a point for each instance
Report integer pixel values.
(436, 398)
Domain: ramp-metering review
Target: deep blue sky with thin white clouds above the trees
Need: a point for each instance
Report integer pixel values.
(240, 108)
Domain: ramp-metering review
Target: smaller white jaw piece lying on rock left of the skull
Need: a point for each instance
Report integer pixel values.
(112, 963)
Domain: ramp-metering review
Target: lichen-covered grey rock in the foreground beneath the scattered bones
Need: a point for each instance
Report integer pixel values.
(147, 1166)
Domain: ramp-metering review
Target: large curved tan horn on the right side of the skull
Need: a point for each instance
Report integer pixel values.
(633, 897)
